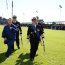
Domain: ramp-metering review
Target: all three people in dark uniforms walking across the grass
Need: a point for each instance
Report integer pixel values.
(12, 30)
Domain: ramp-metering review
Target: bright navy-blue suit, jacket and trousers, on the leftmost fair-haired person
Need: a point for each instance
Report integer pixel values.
(9, 32)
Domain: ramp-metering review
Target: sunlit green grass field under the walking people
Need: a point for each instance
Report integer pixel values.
(54, 54)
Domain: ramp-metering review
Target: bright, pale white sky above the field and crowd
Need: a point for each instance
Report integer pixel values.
(48, 10)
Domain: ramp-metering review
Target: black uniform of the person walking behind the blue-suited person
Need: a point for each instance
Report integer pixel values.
(17, 34)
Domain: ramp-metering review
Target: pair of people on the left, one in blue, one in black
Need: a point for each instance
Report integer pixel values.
(11, 33)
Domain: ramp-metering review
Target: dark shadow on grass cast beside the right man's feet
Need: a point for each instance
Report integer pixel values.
(23, 59)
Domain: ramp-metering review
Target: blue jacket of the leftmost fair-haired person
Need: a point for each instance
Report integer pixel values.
(9, 33)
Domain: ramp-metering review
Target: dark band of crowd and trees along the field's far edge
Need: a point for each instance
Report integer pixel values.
(52, 25)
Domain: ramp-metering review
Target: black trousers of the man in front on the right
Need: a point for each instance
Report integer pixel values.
(33, 48)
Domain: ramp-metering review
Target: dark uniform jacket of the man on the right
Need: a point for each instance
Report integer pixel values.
(32, 34)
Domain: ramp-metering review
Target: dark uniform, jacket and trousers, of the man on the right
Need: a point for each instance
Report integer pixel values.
(34, 33)
